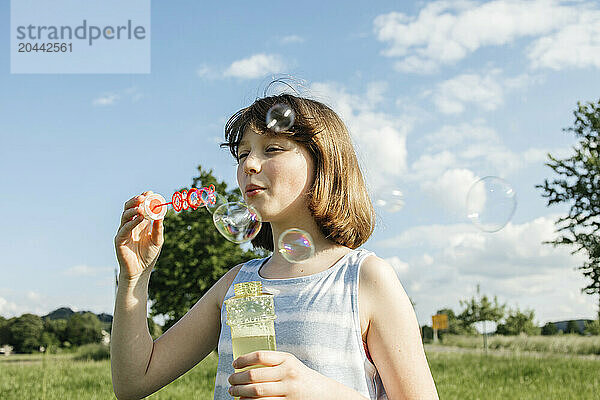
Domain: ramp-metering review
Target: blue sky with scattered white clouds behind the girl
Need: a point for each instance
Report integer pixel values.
(435, 94)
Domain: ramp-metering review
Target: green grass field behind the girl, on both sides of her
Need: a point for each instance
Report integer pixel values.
(459, 374)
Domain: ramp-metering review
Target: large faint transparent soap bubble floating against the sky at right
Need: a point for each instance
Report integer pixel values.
(491, 203)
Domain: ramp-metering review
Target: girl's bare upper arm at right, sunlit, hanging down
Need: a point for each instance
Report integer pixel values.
(394, 338)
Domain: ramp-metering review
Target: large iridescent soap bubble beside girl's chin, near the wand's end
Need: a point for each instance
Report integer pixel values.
(237, 222)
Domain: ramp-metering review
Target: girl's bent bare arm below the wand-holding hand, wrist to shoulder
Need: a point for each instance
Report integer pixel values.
(139, 365)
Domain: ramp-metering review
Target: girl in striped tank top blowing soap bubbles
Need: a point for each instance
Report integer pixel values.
(336, 339)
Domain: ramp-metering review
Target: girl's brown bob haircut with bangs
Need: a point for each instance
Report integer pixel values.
(338, 199)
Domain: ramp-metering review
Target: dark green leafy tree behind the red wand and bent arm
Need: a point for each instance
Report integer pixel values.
(194, 256)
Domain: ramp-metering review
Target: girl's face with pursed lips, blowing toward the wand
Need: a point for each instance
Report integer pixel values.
(281, 167)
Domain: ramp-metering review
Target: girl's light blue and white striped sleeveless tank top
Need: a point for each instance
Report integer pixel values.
(317, 321)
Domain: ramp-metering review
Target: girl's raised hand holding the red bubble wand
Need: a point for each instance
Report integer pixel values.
(137, 245)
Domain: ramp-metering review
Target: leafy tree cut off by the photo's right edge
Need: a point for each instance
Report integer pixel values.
(579, 185)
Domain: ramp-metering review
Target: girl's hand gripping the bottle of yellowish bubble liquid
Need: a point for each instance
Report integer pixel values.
(283, 377)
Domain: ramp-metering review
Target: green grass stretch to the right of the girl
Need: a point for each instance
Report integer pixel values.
(477, 376)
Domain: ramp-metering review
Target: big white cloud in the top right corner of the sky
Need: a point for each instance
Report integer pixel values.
(445, 32)
